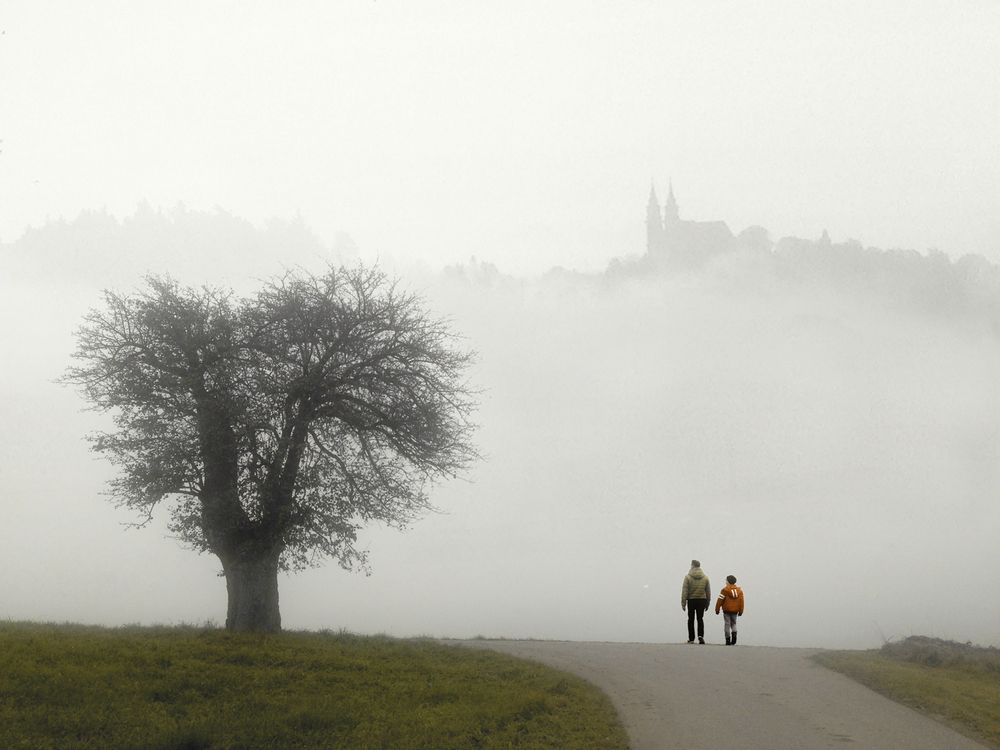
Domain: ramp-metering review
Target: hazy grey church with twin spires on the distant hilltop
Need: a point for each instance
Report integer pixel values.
(676, 242)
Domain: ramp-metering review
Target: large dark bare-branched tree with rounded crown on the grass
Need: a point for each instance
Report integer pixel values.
(278, 424)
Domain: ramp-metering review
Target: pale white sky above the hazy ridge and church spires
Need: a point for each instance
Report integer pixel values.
(524, 133)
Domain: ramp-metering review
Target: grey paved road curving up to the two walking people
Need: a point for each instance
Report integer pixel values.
(746, 697)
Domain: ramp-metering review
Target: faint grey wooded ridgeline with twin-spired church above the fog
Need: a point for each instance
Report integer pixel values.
(97, 248)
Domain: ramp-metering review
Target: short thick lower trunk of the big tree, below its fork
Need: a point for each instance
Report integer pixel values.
(252, 586)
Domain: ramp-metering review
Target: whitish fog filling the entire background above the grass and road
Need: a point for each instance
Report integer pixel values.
(819, 417)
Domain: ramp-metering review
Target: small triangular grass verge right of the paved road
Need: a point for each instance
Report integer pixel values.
(957, 683)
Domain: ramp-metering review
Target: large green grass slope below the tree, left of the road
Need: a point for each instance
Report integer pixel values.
(66, 686)
